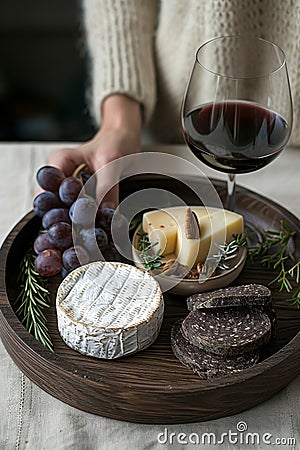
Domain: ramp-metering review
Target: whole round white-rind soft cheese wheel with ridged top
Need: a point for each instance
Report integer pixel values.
(109, 309)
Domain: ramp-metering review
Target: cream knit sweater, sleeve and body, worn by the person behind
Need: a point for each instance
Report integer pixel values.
(146, 49)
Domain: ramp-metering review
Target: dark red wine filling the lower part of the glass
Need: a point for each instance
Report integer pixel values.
(235, 137)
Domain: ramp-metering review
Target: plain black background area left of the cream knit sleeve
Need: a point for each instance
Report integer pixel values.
(43, 72)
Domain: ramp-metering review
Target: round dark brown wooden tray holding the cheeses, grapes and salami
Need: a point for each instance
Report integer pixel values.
(152, 386)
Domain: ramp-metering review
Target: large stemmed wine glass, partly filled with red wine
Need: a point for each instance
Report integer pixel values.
(237, 108)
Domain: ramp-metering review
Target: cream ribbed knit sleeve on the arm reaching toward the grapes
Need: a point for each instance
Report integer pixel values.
(120, 42)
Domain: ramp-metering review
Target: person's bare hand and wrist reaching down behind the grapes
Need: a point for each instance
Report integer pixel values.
(119, 136)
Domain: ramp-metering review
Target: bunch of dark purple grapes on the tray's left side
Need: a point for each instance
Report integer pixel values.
(66, 215)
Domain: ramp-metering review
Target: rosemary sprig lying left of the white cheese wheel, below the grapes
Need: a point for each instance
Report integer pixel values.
(32, 299)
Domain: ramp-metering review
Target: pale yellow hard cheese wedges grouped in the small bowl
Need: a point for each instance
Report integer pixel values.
(167, 229)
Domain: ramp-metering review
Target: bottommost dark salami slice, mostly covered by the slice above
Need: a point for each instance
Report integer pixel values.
(208, 365)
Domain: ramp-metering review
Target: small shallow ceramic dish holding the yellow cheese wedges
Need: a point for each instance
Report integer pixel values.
(187, 287)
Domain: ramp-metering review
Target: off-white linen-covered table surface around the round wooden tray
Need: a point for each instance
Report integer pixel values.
(31, 419)
